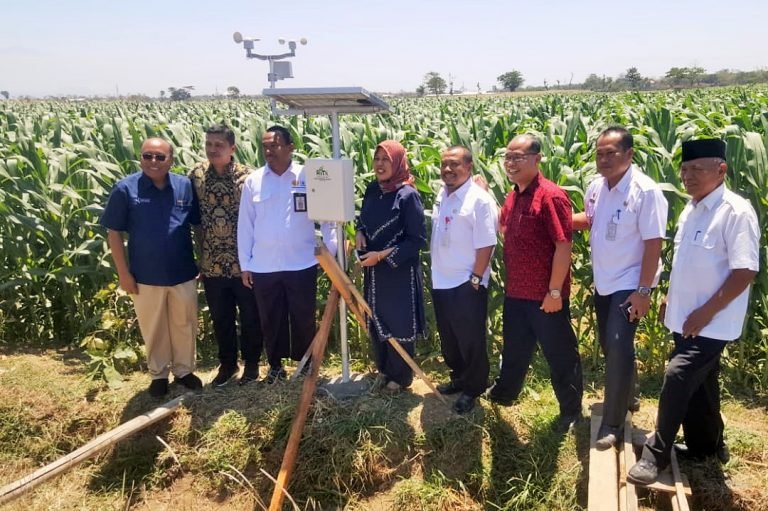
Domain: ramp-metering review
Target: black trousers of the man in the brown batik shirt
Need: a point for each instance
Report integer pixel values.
(226, 297)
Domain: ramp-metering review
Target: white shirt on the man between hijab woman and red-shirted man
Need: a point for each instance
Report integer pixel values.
(462, 222)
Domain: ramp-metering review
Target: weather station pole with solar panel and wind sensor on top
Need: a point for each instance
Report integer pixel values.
(319, 101)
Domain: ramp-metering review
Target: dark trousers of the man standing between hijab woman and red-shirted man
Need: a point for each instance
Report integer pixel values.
(461, 314)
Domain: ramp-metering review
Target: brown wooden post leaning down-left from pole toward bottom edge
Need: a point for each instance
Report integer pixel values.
(305, 401)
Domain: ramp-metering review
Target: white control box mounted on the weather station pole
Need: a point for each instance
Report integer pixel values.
(330, 190)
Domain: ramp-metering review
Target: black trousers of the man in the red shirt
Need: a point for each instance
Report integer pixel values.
(524, 324)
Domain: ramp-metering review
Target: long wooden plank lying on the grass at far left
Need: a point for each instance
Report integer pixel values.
(95, 446)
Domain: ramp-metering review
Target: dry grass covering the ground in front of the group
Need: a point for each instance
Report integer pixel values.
(409, 452)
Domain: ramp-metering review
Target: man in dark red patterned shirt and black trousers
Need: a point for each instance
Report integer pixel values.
(536, 223)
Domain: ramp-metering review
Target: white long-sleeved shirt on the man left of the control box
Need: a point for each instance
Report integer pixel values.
(271, 236)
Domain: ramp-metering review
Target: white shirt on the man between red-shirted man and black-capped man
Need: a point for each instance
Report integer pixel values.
(621, 219)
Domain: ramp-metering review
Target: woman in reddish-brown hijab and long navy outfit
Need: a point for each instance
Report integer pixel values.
(390, 234)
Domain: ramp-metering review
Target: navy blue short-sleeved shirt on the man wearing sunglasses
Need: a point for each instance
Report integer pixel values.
(158, 226)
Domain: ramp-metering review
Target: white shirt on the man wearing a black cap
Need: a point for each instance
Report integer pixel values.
(715, 236)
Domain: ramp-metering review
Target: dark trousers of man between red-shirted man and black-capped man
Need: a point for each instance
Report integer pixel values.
(617, 339)
